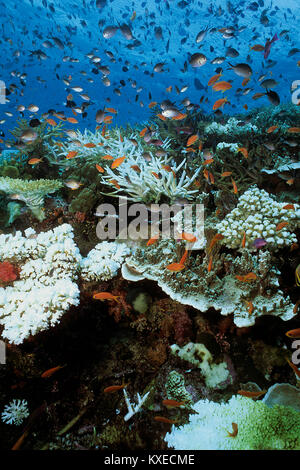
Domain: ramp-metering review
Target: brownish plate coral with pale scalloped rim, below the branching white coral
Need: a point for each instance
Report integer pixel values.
(219, 288)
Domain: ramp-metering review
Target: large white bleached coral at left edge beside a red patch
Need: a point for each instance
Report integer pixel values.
(49, 264)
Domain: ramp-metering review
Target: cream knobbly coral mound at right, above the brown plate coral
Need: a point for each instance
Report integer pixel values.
(258, 214)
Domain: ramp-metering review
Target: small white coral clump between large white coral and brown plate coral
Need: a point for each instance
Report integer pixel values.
(104, 261)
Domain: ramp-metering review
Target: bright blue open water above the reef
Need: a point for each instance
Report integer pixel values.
(164, 31)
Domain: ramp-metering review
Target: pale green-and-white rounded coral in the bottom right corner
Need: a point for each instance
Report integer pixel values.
(239, 424)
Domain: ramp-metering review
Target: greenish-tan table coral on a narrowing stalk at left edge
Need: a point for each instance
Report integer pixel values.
(30, 192)
